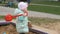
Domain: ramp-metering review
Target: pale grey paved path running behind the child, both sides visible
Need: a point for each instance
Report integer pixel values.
(6, 10)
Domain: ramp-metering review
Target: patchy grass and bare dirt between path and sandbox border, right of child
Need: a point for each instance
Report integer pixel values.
(51, 24)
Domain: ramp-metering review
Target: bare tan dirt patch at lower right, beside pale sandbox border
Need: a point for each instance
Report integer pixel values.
(54, 26)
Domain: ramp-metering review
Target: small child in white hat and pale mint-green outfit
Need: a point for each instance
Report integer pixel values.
(21, 15)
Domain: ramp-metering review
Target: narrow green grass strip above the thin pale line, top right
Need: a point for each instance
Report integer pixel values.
(46, 2)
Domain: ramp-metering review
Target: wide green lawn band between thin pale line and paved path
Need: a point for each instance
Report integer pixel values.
(47, 9)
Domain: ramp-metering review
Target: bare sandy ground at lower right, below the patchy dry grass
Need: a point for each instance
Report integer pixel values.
(52, 26)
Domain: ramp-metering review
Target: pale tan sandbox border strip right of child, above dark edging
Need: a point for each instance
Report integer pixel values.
(44, 30)
